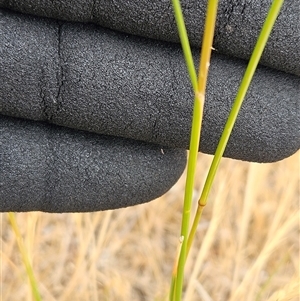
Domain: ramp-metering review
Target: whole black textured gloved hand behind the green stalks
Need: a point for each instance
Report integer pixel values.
(132, 85)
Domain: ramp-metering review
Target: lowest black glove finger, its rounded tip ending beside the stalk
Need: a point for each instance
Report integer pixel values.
(55, 169)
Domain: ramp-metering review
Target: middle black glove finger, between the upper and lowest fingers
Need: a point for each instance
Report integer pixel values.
(89, 78)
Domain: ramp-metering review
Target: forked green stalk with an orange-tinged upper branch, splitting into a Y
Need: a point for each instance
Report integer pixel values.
(199, 89)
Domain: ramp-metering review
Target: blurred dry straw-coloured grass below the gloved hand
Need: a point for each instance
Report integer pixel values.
(247, 245)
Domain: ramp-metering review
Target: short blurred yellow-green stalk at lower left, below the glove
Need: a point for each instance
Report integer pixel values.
(29, 271)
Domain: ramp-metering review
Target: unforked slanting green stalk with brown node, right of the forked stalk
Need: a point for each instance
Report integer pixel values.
(254, 60)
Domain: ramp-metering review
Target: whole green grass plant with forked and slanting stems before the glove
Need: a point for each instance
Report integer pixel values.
(199, 90)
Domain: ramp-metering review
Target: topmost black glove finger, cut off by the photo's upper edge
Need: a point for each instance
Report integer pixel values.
(238, 24)
